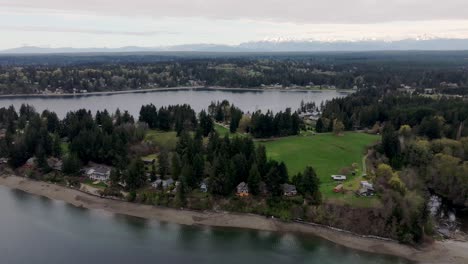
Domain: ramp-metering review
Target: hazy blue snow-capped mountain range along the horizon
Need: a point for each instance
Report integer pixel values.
(271, 46)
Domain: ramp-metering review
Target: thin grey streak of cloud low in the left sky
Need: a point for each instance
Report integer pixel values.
(84, 30)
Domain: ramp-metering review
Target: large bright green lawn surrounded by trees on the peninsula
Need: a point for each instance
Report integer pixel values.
(327, 154)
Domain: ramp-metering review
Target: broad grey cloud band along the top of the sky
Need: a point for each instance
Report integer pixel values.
(295, 11)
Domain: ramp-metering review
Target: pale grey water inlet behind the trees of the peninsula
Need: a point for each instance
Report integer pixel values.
(199, 99)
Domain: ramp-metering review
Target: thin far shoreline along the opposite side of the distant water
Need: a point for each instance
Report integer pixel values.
(178, 88)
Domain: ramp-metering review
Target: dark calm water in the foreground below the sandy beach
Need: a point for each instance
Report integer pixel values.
(37, 230)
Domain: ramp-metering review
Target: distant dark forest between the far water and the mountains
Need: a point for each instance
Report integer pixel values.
(44, 74)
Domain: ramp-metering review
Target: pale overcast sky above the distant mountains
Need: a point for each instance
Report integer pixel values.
(151, 23)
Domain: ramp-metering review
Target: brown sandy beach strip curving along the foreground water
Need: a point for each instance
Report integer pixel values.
(448, 251)
